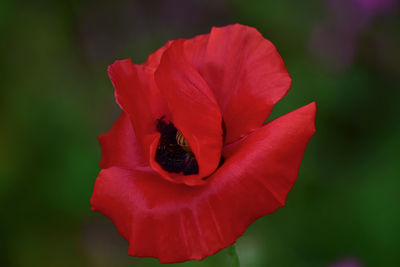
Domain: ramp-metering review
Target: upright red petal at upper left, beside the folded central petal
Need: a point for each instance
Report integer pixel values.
(137, 94)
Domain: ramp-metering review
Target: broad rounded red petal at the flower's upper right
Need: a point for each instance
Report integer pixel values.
(245, 72)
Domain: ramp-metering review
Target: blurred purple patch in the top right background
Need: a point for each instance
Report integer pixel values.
(335, 40)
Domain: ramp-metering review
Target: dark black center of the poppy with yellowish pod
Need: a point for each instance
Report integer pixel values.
(173, 151)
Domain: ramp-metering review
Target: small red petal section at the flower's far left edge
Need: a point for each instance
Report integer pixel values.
(120, 147)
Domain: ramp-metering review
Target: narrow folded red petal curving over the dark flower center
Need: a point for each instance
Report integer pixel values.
(193, 108)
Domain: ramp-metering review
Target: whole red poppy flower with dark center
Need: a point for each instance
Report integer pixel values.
(189, 165)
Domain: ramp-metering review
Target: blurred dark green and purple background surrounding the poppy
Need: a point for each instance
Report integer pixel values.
(56, 98)
